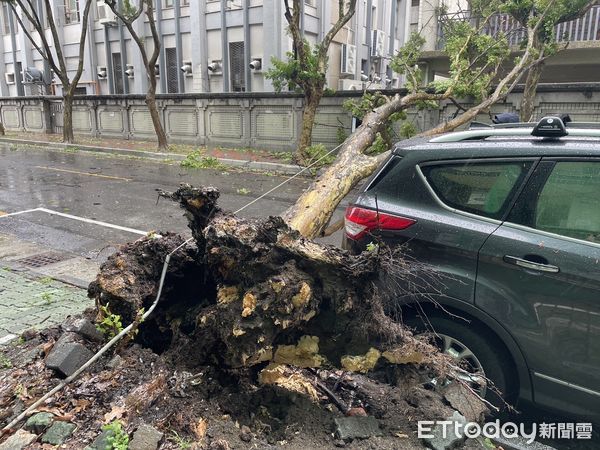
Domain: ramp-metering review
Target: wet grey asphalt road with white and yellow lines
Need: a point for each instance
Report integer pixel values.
(117, 191)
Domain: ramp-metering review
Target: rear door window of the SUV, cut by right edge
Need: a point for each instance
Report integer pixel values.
(569, 202)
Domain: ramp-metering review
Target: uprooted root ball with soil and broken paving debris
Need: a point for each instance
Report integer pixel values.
(261, 339)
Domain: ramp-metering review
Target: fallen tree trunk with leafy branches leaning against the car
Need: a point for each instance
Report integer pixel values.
(478, 69)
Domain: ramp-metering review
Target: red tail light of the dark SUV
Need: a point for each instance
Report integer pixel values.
(360, 221)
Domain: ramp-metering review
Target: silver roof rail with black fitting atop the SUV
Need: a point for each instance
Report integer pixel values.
(551, 127)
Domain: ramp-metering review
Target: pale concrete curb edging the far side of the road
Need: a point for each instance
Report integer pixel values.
(263, 166)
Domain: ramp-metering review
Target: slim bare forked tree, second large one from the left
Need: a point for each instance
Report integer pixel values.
(128, 14)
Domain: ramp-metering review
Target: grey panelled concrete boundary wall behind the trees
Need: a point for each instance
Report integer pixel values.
(264, 121)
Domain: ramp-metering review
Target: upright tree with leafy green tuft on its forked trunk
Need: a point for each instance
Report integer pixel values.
(306, 67)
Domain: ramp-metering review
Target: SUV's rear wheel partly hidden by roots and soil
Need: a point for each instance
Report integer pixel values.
(481, 356)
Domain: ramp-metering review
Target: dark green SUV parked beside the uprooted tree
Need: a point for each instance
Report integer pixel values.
(510, 218)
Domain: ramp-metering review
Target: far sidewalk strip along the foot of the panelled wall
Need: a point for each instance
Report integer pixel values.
(253, 159)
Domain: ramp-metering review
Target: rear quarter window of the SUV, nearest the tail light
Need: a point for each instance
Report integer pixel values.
(481, 188)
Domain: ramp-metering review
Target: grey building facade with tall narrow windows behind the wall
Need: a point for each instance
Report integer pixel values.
(208, 46)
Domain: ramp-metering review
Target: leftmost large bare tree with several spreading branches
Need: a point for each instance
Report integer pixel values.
(51, 48)
